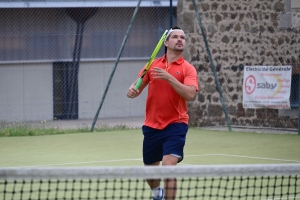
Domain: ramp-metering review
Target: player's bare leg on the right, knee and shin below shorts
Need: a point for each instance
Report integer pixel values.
(171, 183)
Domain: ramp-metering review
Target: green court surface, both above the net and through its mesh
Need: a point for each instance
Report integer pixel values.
(124, 148)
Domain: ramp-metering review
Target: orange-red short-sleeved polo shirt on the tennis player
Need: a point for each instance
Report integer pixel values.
(164, 106)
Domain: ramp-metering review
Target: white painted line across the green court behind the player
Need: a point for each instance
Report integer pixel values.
(140, 159)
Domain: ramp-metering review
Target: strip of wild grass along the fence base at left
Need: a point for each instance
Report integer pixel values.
(26, 129)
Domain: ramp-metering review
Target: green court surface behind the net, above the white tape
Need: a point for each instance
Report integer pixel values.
(123, 148)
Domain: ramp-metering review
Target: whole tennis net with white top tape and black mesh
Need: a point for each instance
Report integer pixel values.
(268, 181)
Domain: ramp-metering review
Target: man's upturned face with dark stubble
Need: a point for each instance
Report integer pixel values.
(176, 41)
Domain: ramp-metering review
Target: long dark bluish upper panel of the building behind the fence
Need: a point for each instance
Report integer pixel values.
(38, 34)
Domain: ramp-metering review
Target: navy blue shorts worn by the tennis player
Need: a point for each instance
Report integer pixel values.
(158, 143)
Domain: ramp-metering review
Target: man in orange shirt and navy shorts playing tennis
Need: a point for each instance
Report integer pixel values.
(172, 81)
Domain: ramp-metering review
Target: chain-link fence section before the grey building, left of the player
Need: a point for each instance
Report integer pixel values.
(56, 57)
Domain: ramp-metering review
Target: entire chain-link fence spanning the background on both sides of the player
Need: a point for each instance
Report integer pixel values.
(57, 58)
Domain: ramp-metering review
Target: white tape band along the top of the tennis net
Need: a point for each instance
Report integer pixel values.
(149, 172)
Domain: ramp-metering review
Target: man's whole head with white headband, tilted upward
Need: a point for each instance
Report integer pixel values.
(175, 39)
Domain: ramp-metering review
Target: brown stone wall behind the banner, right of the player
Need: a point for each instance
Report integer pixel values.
(239, 33)
